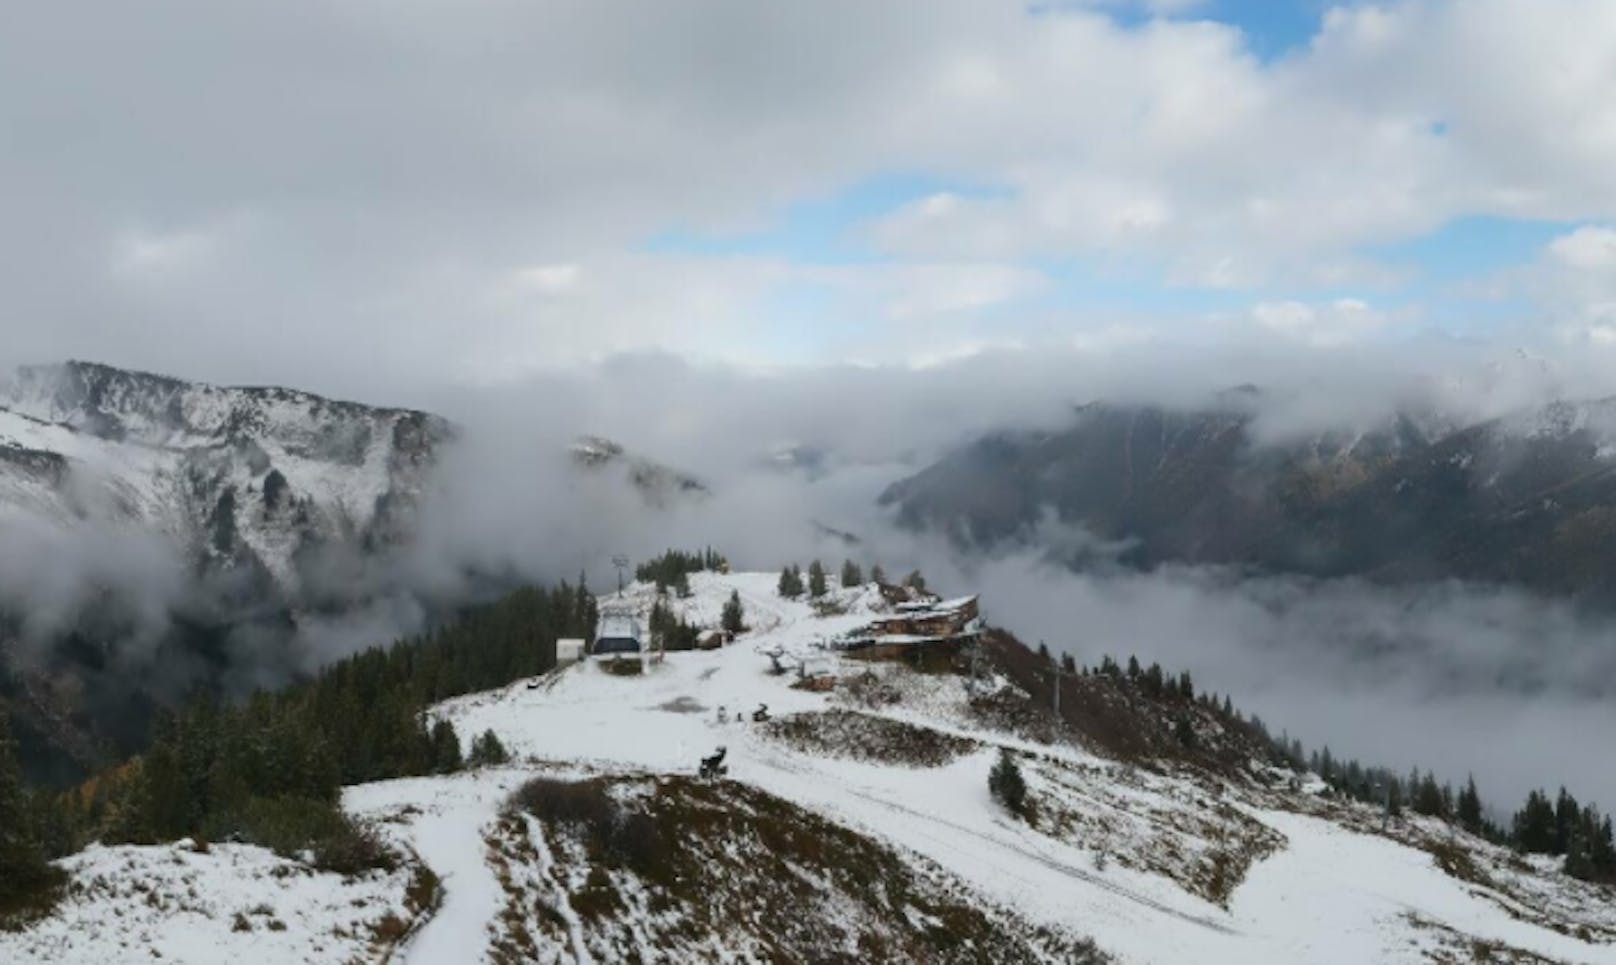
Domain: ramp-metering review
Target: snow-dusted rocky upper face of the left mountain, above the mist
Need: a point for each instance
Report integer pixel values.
(234, 476)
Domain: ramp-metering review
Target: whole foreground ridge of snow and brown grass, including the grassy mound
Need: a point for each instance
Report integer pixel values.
(833, 833)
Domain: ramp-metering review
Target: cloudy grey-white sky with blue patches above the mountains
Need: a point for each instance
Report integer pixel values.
(358, 196)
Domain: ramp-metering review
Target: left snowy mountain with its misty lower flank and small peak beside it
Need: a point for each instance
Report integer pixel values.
(267, 505)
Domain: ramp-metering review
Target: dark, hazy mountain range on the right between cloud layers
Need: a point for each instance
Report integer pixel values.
(1526, 500)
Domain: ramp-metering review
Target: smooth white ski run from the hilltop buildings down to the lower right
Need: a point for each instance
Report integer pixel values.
(1328, 896)
